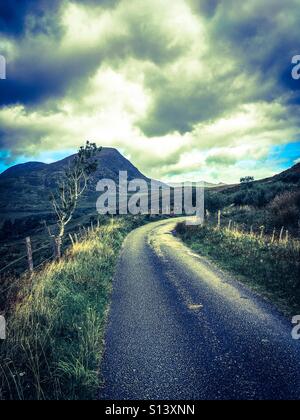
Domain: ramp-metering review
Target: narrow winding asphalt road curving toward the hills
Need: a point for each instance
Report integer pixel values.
(180, 328)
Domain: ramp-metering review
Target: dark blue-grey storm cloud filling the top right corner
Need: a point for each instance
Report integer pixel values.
(262, 37)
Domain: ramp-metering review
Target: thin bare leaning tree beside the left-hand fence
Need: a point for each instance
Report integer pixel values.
(70, 188)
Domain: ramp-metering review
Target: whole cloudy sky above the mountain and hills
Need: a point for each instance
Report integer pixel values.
(186, 89)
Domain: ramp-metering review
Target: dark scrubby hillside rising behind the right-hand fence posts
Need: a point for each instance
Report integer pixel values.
(273, 203)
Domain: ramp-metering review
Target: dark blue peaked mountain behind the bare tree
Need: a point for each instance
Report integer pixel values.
(26, 187)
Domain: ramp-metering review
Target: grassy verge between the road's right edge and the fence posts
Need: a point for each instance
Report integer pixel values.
(271, 268)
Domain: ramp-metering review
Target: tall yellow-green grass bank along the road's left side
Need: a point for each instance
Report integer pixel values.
(55, 327)
